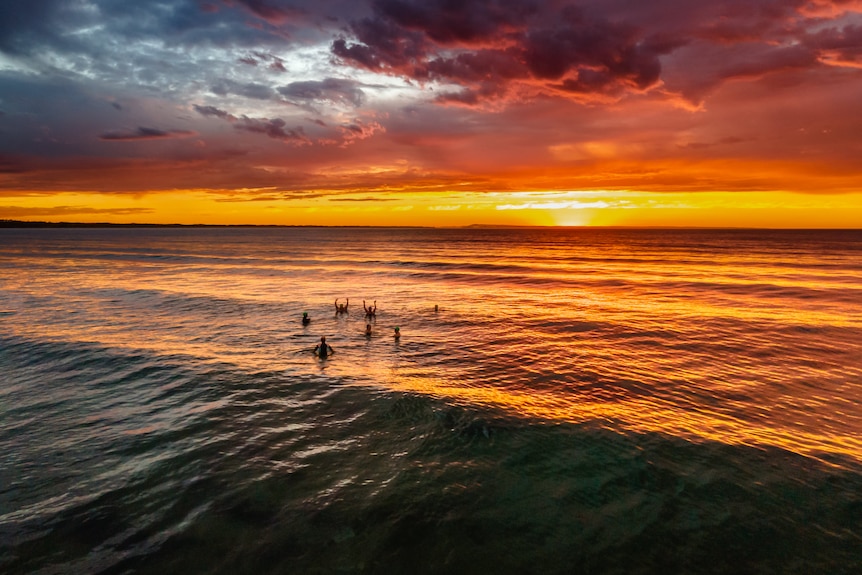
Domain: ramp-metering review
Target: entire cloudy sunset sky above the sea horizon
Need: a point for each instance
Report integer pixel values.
(432, 112)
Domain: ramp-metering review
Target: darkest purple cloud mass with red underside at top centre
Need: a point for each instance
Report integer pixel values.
(485, 45)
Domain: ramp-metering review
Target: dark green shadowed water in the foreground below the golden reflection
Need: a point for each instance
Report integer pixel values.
(406, 484)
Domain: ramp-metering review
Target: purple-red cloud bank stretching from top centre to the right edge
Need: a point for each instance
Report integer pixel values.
(491, 49)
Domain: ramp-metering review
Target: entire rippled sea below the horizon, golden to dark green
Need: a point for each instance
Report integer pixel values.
(578, 401)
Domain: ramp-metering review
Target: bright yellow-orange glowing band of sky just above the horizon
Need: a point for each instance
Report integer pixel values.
(440, 209)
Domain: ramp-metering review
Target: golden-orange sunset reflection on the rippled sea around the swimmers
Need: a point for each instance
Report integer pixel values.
(549, 354)
